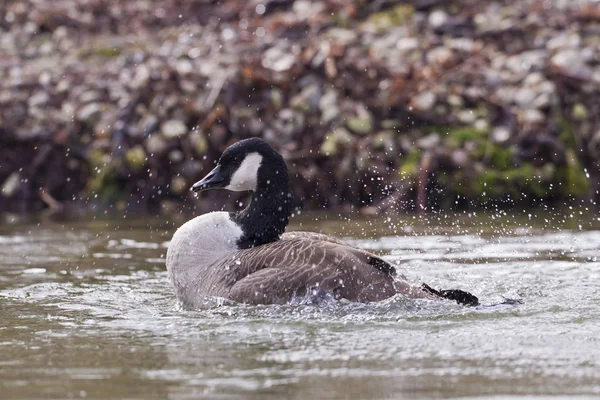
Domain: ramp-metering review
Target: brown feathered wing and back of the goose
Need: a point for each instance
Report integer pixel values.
(273, 273)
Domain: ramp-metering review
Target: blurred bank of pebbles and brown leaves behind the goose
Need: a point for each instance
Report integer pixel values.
(377, 106)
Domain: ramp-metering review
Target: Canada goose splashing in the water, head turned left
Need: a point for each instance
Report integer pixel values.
(246, 257)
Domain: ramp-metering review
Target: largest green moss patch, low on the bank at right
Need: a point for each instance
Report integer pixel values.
(491, 175)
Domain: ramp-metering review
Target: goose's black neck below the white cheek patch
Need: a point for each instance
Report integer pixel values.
(267, 215)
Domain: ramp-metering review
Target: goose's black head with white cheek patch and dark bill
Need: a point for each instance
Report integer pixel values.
(248, 165)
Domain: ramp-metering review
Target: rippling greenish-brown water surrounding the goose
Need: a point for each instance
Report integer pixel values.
(87, 311)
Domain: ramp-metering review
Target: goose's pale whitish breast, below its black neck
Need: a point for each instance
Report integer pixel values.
(196, 247)
